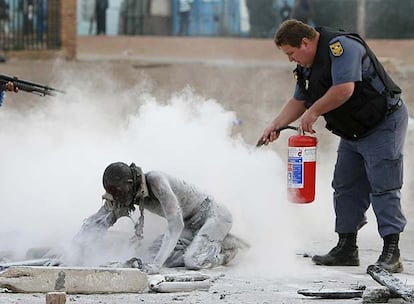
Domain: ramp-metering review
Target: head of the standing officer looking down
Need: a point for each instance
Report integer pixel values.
(298, 41)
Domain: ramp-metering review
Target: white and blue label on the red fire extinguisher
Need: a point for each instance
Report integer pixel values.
(296, 159)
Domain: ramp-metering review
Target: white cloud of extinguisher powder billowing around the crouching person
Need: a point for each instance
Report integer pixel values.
(54, 155)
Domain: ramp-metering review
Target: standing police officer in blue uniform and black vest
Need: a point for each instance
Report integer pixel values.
(339, 78)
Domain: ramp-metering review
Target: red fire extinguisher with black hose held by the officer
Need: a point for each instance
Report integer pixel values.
(301, 167)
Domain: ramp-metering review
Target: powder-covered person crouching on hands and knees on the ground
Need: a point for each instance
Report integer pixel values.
(198, 228)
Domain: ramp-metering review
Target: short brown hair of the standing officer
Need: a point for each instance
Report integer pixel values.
(292, 31)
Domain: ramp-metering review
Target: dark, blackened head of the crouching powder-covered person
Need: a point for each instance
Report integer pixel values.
(120, 181)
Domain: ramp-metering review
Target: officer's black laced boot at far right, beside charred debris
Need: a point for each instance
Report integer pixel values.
(390, 256)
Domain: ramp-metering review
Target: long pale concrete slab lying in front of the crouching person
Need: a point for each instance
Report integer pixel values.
(73, 280)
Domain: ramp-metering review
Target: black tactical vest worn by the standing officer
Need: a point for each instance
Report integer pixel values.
(365, 109)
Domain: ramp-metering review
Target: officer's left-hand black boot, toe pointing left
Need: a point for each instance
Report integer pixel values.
(343, 254)
